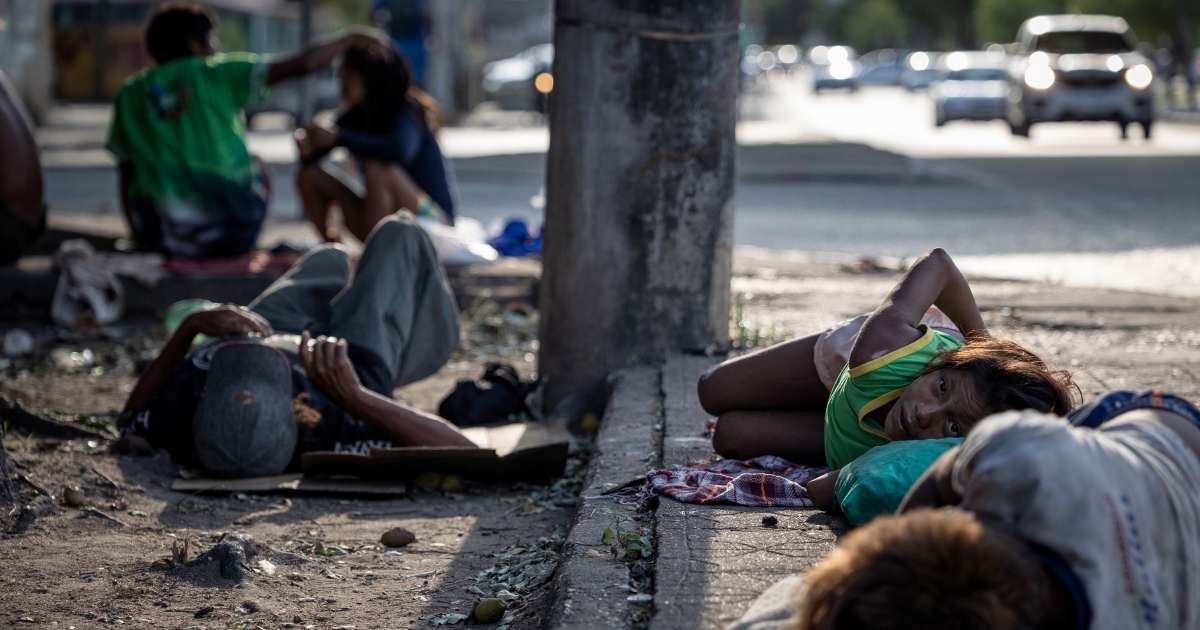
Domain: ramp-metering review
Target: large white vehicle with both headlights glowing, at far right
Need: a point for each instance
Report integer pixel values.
(1078, 68)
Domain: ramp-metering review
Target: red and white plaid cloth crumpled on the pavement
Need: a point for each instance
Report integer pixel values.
(765, 482)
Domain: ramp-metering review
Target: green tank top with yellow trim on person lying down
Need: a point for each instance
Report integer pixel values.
(865, 389)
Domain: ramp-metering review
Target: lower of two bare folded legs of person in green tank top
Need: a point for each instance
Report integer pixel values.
(797, 436)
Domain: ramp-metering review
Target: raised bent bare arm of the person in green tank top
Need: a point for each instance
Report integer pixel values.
(932, 281)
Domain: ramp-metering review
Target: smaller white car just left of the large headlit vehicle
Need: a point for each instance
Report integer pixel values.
(970, 86)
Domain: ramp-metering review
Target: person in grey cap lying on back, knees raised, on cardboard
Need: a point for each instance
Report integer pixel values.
(309, 365)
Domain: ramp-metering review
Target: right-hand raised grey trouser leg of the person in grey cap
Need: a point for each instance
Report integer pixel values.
(399, 307)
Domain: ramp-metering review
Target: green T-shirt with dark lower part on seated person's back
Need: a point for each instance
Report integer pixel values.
(179, 125)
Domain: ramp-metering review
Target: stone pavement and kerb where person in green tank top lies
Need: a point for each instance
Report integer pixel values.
(712, 562)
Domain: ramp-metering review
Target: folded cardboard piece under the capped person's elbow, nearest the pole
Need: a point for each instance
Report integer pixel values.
(526, 451)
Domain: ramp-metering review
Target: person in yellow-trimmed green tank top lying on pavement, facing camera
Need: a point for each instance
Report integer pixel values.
(908, 376)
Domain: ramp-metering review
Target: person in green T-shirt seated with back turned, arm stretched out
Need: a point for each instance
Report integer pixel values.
(190, 188)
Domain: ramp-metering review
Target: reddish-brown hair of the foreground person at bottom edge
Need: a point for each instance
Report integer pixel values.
(929, 571)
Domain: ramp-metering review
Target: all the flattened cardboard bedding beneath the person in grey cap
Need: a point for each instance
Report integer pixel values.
(518, 452)
